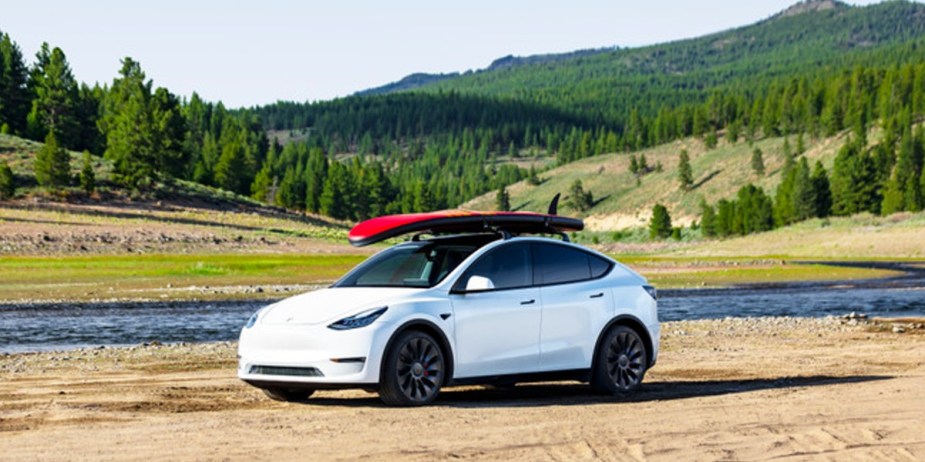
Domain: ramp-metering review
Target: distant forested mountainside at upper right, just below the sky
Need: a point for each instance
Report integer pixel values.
(812, 38)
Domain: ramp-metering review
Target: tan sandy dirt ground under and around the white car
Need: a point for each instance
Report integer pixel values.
(734, 389)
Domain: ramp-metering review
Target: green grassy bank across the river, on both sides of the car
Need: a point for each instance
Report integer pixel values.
(212, 277)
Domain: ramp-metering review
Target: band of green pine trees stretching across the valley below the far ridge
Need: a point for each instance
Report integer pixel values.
(407, 152)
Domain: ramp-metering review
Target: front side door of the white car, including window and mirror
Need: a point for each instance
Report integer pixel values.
(498, 329)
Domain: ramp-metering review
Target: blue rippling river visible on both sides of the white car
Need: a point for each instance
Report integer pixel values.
(62, 326)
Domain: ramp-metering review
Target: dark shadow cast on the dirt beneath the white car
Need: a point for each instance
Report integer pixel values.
(565, 394)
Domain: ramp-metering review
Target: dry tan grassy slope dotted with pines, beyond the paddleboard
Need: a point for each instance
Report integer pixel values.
(620, 203)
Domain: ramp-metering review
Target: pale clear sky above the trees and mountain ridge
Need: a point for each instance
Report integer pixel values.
(247, 53)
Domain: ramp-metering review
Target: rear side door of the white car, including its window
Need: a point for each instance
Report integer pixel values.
(576, 304)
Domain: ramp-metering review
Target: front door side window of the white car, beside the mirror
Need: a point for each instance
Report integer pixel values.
(508, 267)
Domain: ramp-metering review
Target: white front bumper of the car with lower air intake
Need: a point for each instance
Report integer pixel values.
(307, 355)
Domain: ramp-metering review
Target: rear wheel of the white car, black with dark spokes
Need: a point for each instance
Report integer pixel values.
(621, 362)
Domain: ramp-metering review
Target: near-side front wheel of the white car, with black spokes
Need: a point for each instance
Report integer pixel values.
(413, 370)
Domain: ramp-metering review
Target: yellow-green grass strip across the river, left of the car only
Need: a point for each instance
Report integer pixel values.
(75, 278)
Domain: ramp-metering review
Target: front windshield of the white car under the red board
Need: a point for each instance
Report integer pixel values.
(420, 264)
